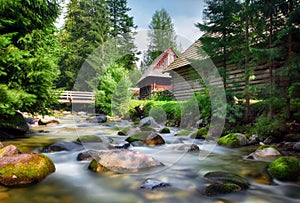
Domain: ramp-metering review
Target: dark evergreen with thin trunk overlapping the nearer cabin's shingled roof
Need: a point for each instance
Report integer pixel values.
(221, 31)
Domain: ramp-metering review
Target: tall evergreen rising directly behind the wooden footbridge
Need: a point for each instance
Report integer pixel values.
(86, 28)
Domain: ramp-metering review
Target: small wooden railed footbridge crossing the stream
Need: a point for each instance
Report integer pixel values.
(77, 97)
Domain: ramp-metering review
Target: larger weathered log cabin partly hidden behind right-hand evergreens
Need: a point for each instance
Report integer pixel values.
(194, 70)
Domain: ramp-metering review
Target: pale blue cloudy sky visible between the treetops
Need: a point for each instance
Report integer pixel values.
(184, 14)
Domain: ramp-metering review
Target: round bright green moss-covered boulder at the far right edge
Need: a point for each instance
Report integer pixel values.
(285, 168)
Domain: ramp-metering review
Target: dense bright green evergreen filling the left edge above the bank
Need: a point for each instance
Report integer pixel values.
(29, 53)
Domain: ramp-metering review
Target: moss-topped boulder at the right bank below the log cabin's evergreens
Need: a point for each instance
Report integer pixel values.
(233, 140)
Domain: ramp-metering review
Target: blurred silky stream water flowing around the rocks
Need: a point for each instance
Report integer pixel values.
(73, 182)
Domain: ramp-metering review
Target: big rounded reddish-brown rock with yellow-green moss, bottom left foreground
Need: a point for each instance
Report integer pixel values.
(23, 169)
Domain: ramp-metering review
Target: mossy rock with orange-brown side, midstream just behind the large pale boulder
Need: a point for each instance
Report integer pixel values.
(146, 138)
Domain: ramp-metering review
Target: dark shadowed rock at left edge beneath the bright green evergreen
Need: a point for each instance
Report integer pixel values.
(12, 126)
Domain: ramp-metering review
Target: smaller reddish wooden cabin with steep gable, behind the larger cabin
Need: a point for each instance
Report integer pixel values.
(154, 79)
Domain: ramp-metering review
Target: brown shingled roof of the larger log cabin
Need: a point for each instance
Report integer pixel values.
(191, 53)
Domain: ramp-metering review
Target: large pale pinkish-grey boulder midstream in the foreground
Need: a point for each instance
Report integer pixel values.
(122, 161)
